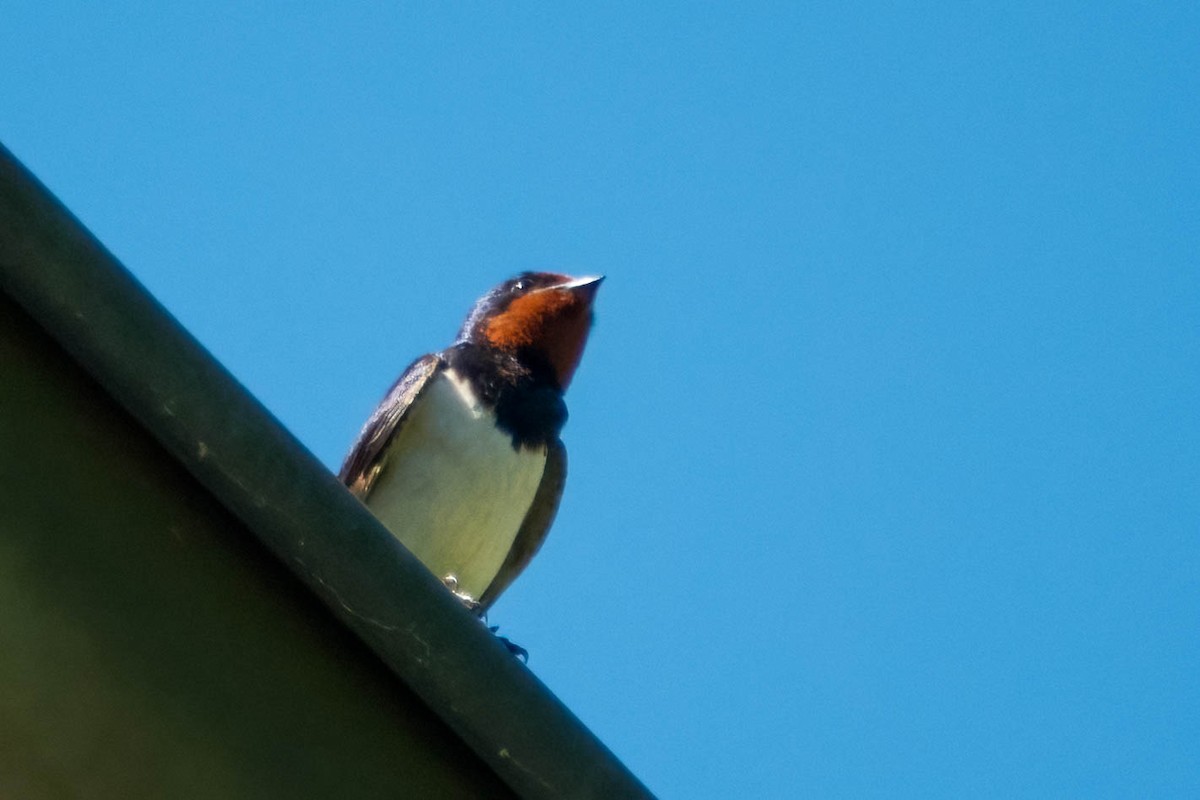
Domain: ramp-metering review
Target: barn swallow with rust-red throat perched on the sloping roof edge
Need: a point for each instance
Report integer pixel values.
(463, 461)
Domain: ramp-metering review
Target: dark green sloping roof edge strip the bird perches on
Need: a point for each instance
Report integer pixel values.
(100, 314)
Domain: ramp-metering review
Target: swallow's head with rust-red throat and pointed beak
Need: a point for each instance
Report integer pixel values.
(542, 315)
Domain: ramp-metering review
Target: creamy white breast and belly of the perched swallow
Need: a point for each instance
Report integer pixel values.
(454, 490)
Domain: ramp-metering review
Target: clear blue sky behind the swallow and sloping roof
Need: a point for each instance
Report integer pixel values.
(885, 450)
